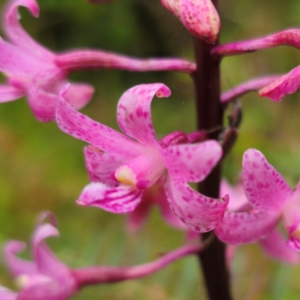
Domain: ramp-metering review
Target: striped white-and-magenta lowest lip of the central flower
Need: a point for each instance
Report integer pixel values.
(118, 200)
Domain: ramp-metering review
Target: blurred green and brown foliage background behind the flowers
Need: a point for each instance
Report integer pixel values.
(42, 168)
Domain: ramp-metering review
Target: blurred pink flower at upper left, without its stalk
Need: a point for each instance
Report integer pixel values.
(30, 68)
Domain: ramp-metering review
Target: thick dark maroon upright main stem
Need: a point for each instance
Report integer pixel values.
(210, 116)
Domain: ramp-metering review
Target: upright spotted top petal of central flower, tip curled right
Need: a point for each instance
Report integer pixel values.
(134, 111)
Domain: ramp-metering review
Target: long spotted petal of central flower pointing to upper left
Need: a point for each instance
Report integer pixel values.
(99, 135)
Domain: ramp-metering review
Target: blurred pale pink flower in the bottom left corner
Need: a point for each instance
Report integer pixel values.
(45, 278)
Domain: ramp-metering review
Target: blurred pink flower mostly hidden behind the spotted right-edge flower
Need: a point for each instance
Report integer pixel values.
(273, 244)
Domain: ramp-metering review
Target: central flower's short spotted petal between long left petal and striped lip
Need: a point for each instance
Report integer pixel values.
(101, 166)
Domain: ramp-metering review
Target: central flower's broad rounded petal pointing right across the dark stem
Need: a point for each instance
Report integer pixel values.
(192, 163)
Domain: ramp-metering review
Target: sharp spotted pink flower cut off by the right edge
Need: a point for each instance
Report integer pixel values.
(269, 199)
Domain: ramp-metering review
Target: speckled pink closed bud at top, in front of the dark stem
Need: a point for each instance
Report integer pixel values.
(199, 17)
